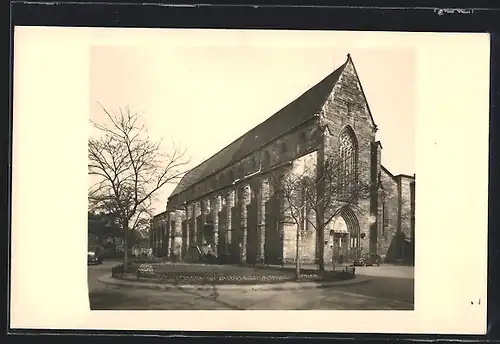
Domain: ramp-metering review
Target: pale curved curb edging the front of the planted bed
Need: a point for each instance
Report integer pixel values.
(108, 280)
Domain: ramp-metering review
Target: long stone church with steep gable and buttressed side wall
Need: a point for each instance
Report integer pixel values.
(230, 201)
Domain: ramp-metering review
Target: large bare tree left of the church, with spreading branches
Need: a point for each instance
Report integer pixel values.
(129, 168)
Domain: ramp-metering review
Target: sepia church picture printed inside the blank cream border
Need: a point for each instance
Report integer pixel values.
(303, 210)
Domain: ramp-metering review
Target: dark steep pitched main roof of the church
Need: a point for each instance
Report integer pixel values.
(289, 117)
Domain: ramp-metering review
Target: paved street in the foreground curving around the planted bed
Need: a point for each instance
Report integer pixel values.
(391, 287)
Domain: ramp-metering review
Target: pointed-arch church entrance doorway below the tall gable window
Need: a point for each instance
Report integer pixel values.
(343, 240)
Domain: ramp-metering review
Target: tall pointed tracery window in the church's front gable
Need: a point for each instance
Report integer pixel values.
(348, 157)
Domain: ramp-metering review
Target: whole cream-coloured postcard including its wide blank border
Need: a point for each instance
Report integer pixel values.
(249, 180)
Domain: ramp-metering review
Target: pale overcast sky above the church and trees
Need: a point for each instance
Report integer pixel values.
(202, 97)
